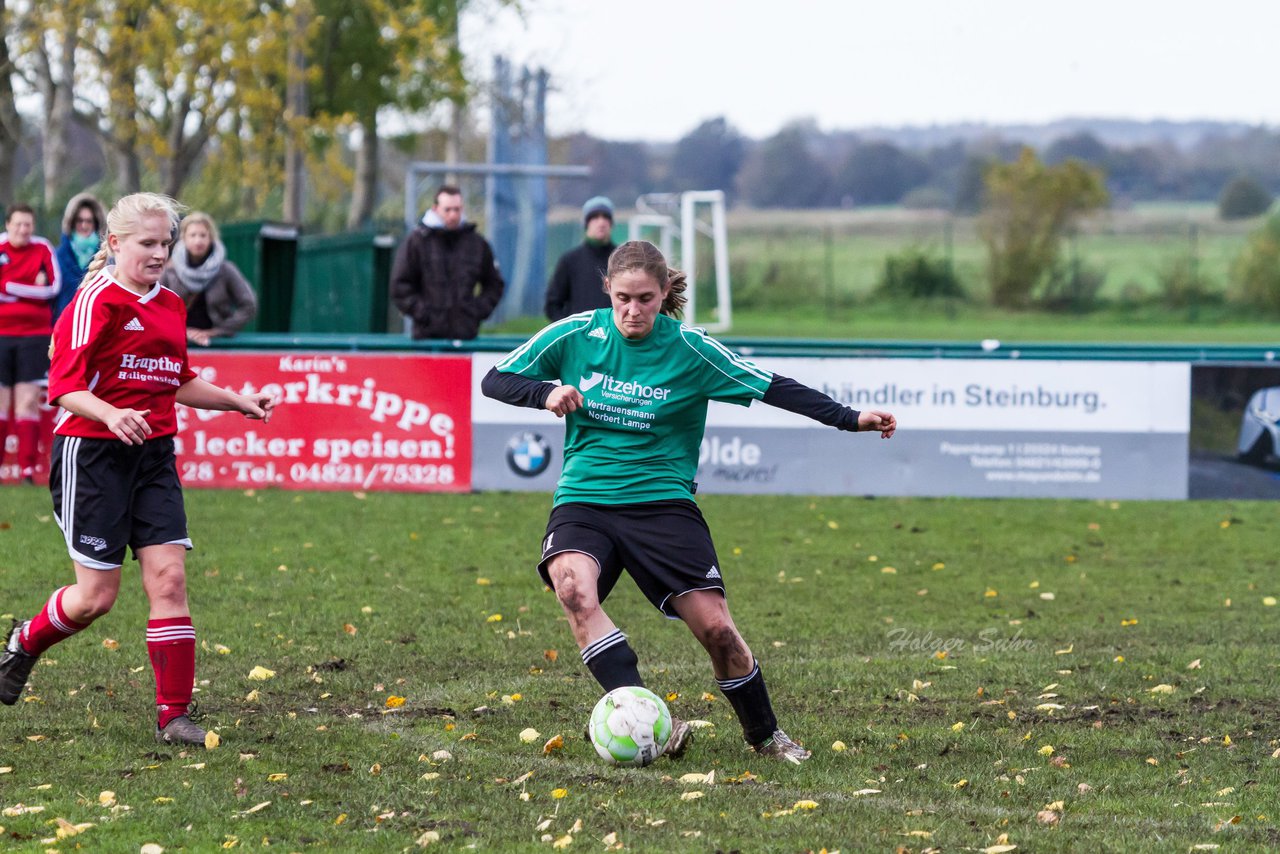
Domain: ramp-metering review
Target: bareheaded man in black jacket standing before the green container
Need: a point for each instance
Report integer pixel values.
(445, 277)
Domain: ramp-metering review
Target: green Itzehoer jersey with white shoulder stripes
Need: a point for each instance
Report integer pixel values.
(638, 435)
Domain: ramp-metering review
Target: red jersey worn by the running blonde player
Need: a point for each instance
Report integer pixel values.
(130, 350)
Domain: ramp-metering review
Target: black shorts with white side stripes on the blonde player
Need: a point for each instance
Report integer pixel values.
(111, 496)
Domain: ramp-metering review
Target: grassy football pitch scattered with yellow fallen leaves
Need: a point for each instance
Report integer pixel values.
(971, 675)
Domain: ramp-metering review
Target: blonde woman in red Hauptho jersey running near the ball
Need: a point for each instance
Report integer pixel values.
(120, 366)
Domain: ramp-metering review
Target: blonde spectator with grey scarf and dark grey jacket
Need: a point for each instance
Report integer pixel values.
(220, 300)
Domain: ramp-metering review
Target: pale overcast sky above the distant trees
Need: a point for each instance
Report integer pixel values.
(653, 70)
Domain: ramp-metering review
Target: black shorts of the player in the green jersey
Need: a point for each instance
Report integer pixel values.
(665, 546)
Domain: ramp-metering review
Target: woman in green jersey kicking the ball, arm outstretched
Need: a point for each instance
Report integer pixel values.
(633, 386)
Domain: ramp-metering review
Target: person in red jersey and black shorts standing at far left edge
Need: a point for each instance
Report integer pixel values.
(29, 282)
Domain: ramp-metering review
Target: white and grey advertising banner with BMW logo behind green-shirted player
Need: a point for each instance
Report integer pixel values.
(1064, 430)
